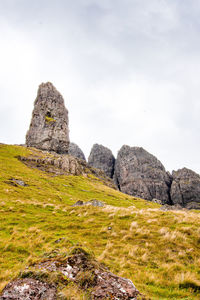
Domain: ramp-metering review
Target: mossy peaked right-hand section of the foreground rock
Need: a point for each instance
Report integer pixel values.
(87, 273)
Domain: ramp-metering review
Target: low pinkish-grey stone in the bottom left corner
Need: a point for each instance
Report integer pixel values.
(28, 289)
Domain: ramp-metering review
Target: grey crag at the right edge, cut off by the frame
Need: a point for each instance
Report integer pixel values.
(185, 189)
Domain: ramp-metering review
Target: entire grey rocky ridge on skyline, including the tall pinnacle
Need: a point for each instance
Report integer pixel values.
(136, 172)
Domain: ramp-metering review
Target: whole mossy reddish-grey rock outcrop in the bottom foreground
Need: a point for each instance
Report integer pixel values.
(81, 269)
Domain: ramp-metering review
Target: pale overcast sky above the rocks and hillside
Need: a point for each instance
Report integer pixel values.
(129, 71)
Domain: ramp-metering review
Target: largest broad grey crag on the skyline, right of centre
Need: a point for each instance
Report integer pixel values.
(141, 174)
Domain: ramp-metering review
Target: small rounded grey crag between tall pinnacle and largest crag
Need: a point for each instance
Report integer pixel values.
(103, 159)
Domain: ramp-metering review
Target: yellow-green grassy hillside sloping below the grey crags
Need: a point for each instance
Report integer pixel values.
(159, 251)
